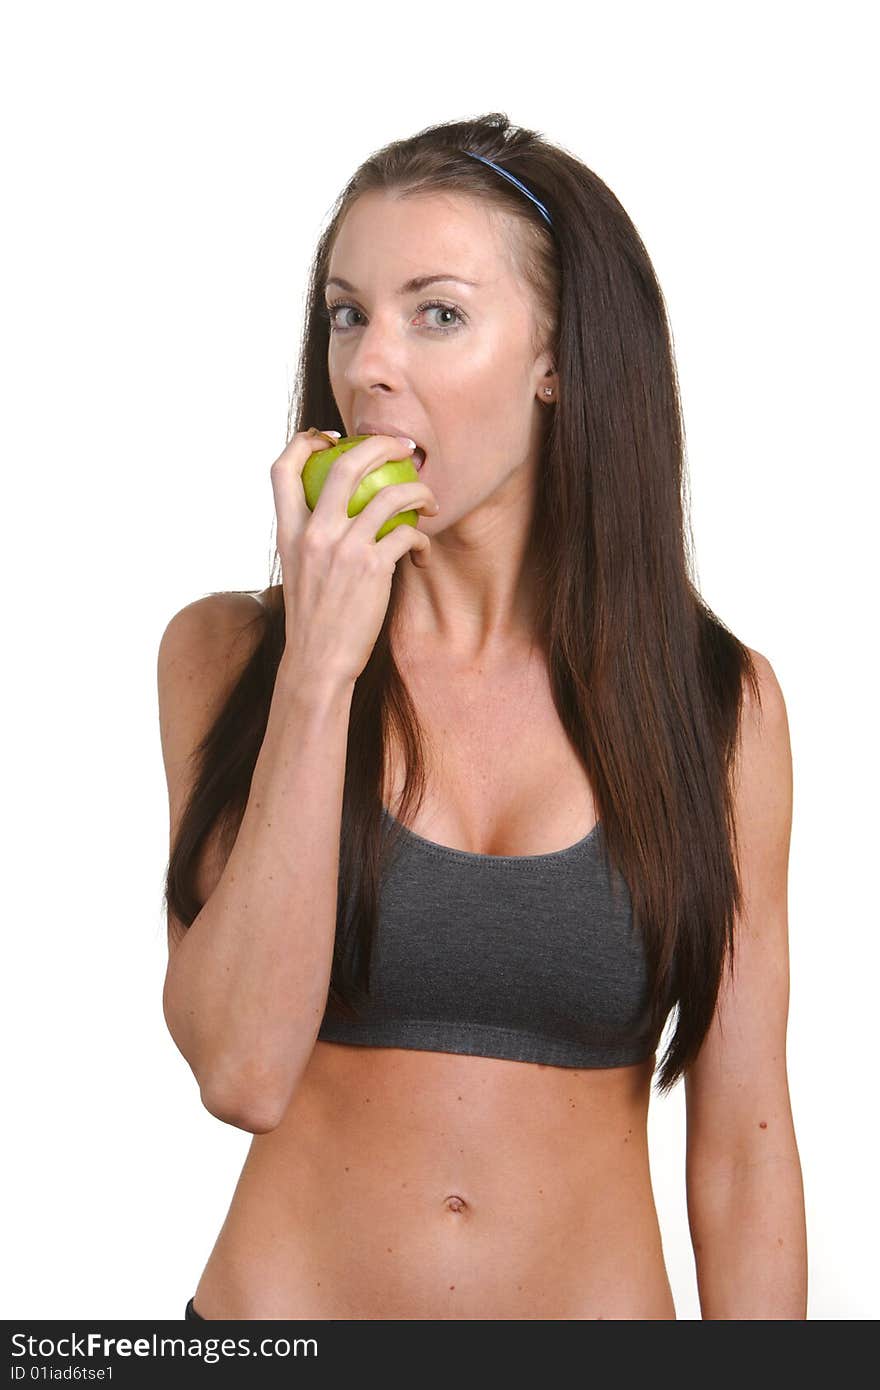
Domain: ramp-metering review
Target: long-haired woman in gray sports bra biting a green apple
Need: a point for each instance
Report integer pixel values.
(462, 833)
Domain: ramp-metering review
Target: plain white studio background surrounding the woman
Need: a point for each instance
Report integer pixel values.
(168, 170)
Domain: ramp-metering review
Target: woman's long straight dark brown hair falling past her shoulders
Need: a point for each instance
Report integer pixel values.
(647, 680)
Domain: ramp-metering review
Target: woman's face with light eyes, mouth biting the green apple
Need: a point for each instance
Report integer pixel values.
(459, 376)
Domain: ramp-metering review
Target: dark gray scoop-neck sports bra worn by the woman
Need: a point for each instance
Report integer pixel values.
(523, 957)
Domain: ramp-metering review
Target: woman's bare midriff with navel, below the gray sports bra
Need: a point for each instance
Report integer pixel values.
(433, 1185)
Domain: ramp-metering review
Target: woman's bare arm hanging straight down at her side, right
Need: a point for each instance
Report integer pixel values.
(744, 1184)
